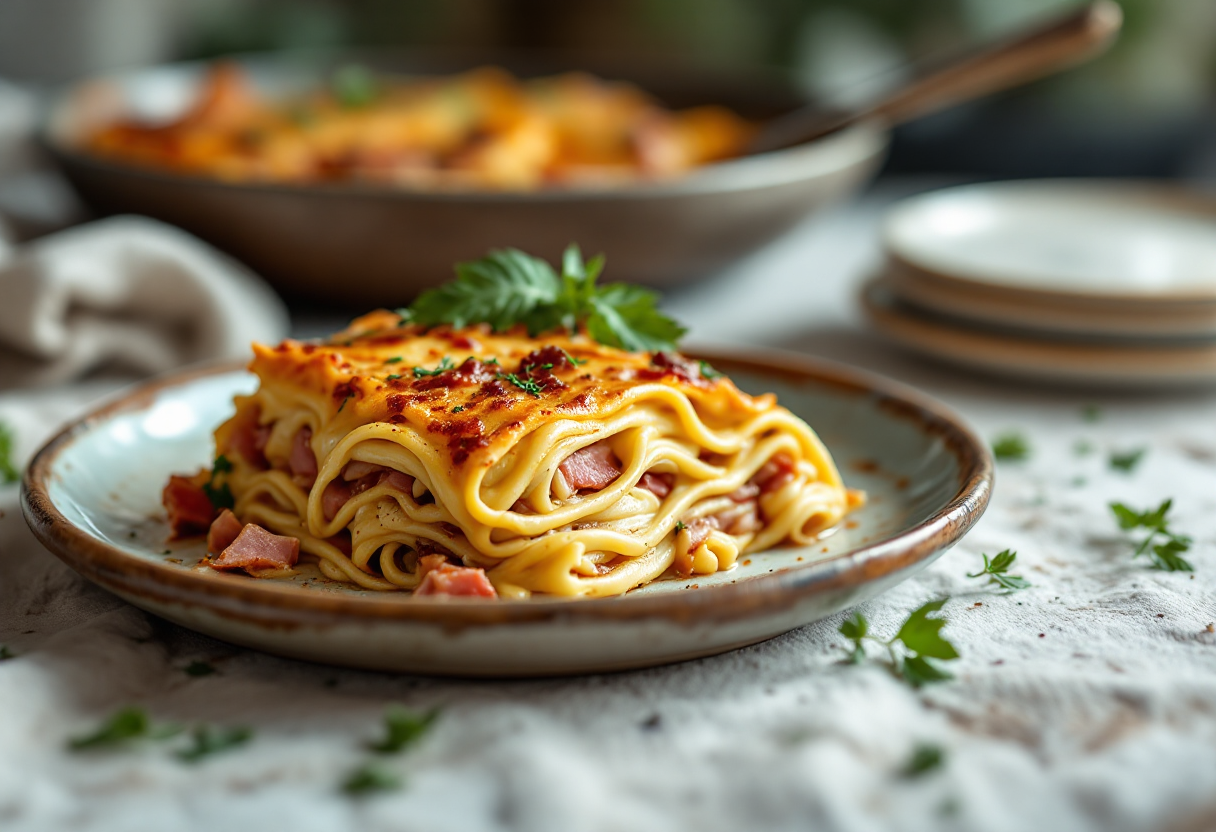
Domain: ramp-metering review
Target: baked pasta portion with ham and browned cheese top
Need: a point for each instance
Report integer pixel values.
(468, 463)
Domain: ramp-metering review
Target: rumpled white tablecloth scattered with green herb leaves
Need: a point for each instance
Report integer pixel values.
(1088, 702)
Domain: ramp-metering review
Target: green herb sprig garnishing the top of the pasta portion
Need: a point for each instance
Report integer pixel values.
(510, 288)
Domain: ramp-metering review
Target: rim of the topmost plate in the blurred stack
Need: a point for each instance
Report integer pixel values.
(1187, 200)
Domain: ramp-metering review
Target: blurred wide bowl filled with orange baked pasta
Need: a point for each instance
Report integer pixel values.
(361, 179)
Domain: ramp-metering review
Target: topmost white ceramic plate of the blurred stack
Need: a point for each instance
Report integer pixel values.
(1119, 241)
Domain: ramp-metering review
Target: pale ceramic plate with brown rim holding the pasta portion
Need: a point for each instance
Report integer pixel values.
(92, 497)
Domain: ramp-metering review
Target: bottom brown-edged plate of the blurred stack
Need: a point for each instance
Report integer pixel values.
(1094, 363)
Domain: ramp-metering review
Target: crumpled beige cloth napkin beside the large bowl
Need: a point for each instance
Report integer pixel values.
(128, 294)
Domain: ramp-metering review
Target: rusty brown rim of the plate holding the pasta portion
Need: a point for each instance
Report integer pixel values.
(271, 604)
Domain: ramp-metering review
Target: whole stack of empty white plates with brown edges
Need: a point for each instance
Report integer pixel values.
(1102, 283)
